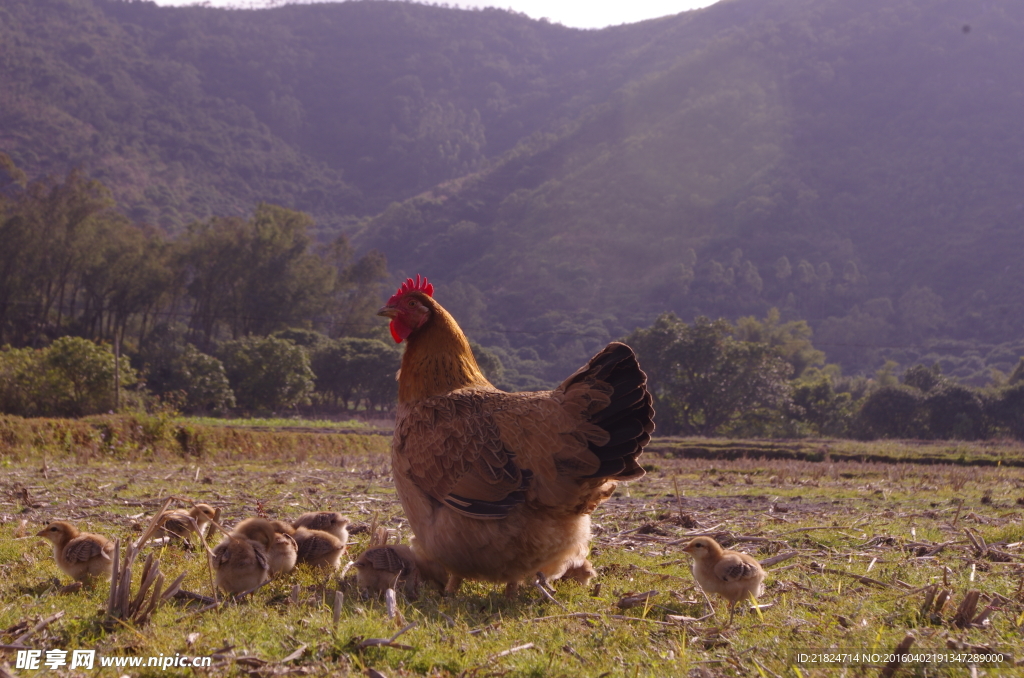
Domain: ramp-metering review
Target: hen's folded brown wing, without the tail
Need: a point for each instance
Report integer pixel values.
(451, 447)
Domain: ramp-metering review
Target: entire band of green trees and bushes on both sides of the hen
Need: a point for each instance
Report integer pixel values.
(253, 316)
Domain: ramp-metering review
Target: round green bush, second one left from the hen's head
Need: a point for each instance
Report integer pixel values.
(268, 374)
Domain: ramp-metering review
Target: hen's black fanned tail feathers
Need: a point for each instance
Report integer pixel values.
(629, 418)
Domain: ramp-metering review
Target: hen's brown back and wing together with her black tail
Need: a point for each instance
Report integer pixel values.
(483, 452)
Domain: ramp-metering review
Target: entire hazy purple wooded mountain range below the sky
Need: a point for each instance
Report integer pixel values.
(859, 165)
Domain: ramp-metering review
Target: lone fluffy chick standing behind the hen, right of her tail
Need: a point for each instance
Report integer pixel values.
(733, 575)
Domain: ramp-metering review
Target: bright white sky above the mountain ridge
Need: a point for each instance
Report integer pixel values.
(577, 14)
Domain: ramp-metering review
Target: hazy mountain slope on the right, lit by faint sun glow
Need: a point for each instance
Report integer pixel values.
(854, 164)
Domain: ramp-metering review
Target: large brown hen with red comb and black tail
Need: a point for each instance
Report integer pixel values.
(500, 487)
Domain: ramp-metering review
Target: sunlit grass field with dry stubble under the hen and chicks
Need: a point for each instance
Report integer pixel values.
(860, 548)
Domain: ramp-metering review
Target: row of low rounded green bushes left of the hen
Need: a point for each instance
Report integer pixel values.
(74, 376)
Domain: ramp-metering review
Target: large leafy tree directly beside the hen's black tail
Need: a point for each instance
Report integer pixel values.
(704, 378)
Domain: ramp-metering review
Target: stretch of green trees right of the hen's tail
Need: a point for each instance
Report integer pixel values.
(765, 378)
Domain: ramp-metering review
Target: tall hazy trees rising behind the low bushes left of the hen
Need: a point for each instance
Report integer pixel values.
(73, 265)
